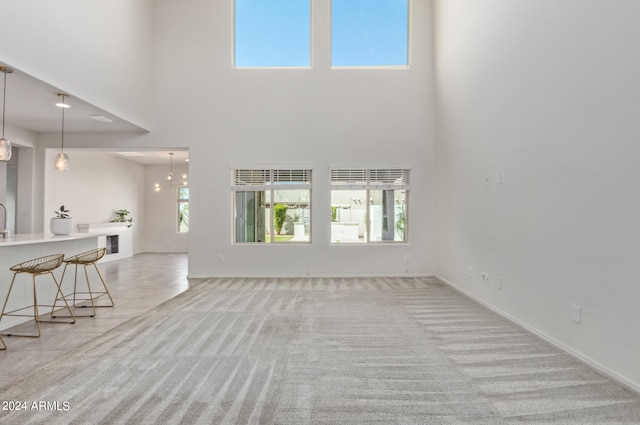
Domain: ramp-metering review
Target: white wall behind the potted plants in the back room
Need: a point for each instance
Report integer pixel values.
(95, 185)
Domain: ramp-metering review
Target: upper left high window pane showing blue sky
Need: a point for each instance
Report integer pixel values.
(272, 33)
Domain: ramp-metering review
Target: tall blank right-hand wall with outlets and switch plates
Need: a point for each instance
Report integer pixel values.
(546, 92)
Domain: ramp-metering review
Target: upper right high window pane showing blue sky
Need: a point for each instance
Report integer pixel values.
(369, 32)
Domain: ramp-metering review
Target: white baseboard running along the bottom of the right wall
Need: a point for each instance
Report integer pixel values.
(633, 386)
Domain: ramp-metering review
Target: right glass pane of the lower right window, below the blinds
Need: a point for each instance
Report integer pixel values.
(388, 215)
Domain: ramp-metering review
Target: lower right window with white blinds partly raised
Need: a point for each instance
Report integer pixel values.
(369, 205)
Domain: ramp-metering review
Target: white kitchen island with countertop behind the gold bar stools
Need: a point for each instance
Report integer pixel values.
(23, 247)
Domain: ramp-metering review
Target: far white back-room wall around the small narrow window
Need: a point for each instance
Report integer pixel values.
(161, 218)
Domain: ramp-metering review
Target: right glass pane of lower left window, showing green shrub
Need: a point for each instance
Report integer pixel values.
(291, 215)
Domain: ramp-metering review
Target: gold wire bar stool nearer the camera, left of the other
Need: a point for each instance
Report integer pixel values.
(36, 267)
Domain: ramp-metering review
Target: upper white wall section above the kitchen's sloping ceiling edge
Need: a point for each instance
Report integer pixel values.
(94, 50)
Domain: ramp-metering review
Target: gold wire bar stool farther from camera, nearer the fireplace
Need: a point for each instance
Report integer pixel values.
(86, 259)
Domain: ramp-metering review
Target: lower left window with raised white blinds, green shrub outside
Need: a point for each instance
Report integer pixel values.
(271, 205)
